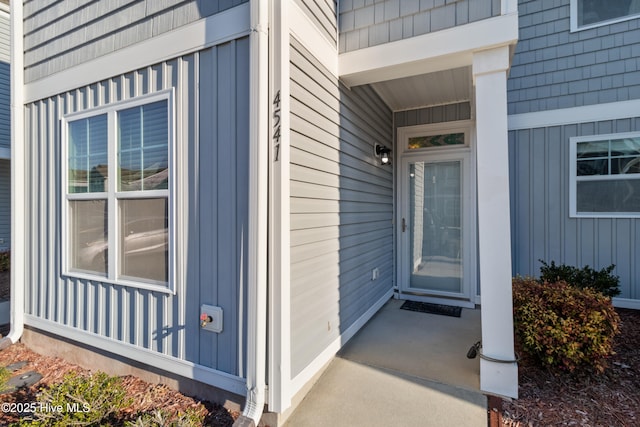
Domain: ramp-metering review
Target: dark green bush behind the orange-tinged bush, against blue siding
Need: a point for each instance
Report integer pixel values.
(602, 281)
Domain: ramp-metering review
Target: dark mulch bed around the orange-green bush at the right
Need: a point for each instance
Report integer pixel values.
(610, 399)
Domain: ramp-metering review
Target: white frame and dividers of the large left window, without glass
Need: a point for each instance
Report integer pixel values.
(111, 110)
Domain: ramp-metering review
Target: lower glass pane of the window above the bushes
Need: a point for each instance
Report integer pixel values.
(621, 195)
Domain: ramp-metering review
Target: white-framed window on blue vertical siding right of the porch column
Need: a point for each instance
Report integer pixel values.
(605, 174)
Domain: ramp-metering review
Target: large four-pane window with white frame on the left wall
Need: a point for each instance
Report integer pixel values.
(118, 192)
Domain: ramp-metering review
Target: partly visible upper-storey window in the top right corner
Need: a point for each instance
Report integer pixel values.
(592, 13)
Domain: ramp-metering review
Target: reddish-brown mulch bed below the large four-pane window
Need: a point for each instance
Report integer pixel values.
(146, 397)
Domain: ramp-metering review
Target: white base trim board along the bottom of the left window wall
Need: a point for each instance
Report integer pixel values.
(167, 363)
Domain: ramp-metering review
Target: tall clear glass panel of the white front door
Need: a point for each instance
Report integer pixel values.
(436, 226)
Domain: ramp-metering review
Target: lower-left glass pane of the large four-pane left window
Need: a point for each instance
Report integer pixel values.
(89, 235)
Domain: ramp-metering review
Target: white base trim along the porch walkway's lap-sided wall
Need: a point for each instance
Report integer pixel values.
(323, 358)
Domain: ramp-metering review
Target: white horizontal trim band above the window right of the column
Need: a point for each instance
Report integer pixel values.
(583, 114)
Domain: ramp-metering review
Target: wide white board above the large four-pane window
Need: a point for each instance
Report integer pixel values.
(219, 28)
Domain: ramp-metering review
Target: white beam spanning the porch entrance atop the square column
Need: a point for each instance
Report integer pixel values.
(437, 51)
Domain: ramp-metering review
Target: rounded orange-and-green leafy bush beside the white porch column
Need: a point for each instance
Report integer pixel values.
(564, 327)
